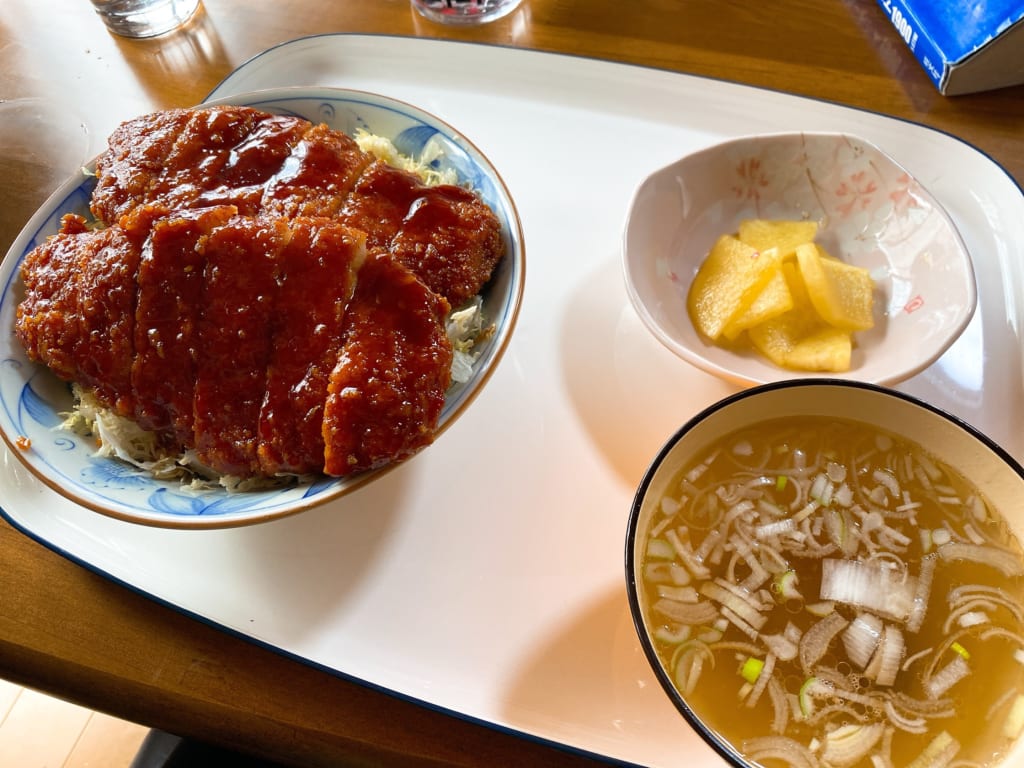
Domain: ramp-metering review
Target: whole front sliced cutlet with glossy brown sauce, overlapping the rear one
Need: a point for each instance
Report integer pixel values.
(268, 346)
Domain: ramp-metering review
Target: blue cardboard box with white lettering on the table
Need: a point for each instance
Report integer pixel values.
(964, 46)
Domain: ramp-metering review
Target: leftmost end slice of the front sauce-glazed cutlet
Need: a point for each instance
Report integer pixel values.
(48, 319)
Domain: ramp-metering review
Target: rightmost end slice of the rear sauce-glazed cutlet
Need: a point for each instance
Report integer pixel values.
(452, 240)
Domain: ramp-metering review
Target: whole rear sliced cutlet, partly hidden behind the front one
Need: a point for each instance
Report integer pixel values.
(287, 166)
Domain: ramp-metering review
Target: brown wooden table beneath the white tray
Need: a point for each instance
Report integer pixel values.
(69, 632)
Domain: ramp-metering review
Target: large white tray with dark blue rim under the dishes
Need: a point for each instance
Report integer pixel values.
(486, 576)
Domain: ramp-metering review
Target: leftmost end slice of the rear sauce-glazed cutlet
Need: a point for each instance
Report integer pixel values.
(134, 165)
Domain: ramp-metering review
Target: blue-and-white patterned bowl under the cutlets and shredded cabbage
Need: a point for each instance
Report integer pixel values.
(33, 402)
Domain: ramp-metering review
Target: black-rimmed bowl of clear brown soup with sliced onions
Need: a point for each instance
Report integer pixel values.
(827, 573)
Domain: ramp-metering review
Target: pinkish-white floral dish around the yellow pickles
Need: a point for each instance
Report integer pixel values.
(871, 212)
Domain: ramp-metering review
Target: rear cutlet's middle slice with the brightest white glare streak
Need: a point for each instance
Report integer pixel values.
(318, 177)
